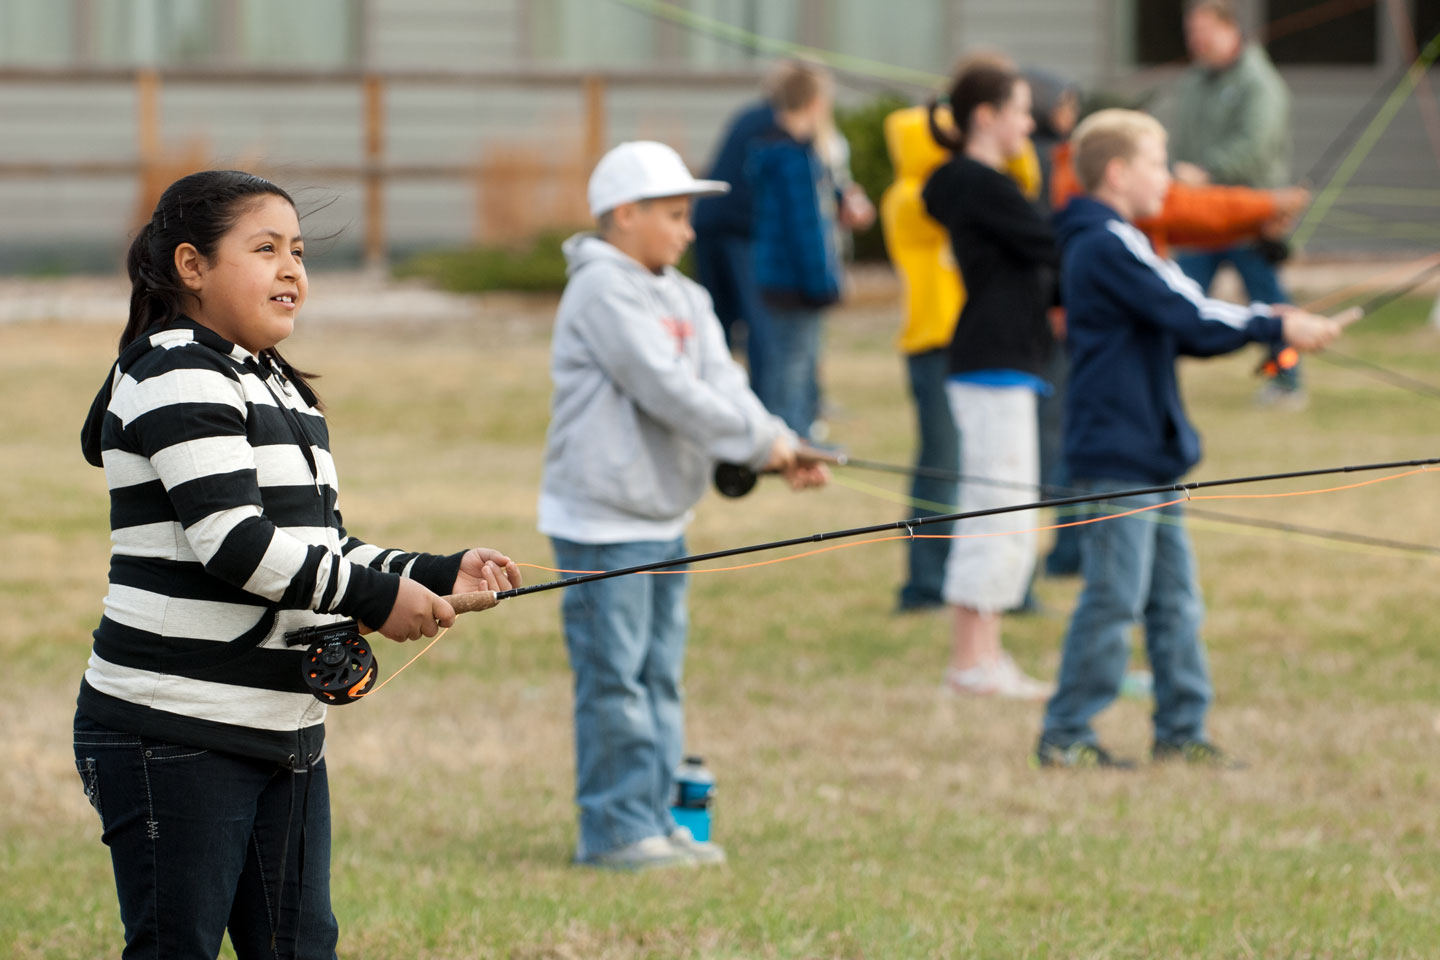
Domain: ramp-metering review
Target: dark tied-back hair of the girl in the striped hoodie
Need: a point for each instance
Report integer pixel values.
(198, 209)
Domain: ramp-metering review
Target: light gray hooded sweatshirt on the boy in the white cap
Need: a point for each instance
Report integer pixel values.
(647, 399)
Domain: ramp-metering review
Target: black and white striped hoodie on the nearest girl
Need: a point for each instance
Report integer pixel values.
(225, 535)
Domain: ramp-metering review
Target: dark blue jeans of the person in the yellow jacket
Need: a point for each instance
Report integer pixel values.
(940, 450)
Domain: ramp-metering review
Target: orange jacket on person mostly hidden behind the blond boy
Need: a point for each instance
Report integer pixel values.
(1193, 217)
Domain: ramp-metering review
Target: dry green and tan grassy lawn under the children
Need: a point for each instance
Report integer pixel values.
(866, 815)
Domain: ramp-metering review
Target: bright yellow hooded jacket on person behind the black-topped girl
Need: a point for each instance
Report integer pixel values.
(918, 245)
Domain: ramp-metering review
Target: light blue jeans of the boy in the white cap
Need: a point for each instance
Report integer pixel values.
(627, 644)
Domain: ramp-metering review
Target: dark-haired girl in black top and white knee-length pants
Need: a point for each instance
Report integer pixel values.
(997, 365)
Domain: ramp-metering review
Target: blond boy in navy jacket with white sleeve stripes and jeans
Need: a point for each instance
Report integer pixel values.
(1131, 314)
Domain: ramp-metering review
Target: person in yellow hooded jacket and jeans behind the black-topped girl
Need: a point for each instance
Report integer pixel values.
(934, 296)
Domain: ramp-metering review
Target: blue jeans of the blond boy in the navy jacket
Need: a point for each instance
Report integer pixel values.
(1135, 571)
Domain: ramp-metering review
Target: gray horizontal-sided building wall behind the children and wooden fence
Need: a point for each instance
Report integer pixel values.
(528, 137)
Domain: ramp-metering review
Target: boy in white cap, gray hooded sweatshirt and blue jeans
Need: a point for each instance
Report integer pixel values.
(647, 399)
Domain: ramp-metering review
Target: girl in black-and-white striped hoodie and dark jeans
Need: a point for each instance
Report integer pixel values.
(195, 736)
